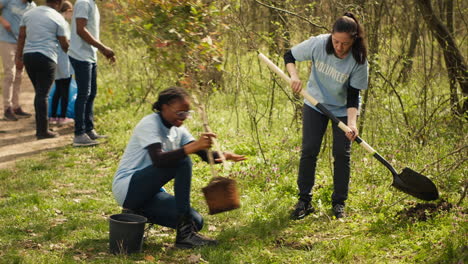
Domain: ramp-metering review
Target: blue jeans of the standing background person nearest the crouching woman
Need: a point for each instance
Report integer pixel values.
(85, 75)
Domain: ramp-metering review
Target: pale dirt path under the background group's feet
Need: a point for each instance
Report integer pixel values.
(18, 138)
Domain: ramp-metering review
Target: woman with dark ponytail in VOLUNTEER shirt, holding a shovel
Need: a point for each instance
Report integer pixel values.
(339, 71)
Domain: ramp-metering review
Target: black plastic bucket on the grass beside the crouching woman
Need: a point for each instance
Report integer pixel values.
(126, 233)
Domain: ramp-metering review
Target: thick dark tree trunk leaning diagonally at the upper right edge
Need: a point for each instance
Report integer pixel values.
(456, 67)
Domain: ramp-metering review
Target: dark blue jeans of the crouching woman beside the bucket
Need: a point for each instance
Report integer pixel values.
(160, 207)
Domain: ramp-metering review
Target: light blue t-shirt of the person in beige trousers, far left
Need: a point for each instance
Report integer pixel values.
(12, 11)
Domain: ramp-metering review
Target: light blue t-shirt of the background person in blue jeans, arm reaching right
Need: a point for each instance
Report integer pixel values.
(80, 49)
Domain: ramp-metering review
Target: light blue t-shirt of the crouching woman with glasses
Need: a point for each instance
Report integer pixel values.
(149, 130)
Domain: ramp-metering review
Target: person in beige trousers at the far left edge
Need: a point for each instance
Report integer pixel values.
(10, 17)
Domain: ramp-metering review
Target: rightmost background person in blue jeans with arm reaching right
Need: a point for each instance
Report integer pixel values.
(84, 43)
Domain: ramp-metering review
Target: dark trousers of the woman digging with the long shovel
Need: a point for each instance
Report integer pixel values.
(314, 127)
